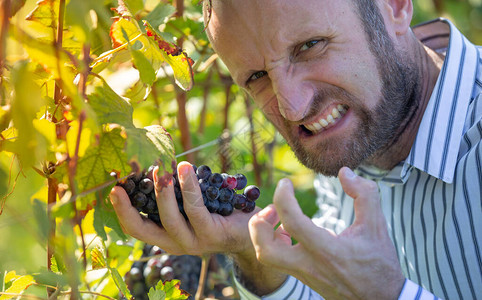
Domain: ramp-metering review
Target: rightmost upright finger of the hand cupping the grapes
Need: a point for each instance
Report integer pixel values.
(196, 211)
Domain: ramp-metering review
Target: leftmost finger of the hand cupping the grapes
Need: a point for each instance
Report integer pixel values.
(130, 220)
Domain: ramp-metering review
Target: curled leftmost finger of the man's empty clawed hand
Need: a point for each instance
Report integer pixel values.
(273, 247)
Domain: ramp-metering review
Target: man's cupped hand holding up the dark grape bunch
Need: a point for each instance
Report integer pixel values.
(202, 233)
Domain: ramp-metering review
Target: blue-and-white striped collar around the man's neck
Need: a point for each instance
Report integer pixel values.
(437, 144)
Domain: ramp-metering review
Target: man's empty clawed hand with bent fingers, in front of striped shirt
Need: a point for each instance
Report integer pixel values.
(359, 263)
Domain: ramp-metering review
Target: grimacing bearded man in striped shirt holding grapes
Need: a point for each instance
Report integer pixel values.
(349, 85)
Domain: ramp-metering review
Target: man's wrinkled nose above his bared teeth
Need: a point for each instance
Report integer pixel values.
(293, 94)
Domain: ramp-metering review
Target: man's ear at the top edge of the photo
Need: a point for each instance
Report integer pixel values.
(399, 13)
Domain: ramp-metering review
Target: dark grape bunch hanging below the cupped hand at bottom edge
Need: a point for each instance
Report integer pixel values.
(162, 266)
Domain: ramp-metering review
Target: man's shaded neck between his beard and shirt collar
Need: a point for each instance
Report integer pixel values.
(430, 64)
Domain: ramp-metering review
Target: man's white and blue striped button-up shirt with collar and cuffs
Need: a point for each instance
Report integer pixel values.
(431, 201)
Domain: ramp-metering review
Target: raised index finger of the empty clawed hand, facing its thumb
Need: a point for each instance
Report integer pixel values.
(294, 221)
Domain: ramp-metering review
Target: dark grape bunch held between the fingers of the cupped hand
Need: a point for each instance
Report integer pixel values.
(219, 192)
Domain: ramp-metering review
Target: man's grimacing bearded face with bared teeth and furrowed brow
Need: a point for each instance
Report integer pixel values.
(308, 66)
